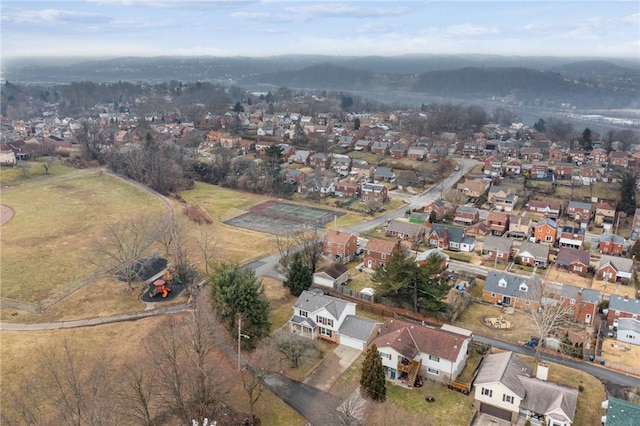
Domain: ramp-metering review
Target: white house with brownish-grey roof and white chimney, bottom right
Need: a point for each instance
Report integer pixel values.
(504, 388)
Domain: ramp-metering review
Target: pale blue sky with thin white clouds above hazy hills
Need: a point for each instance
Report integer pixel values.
(107, 28)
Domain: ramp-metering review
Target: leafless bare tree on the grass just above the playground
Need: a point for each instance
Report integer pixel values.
(123, 243)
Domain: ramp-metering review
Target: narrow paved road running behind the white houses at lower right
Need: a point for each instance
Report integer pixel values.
(595, 370)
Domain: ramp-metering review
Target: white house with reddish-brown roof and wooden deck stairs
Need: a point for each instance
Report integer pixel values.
(411, 349)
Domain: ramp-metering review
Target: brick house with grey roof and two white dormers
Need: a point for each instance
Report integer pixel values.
(512, 290)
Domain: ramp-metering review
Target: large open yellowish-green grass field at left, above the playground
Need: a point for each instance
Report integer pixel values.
(48, 243)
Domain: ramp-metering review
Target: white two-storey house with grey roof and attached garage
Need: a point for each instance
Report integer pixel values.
(317, 316)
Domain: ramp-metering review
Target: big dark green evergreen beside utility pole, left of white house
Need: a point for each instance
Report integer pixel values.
(236, 292)
